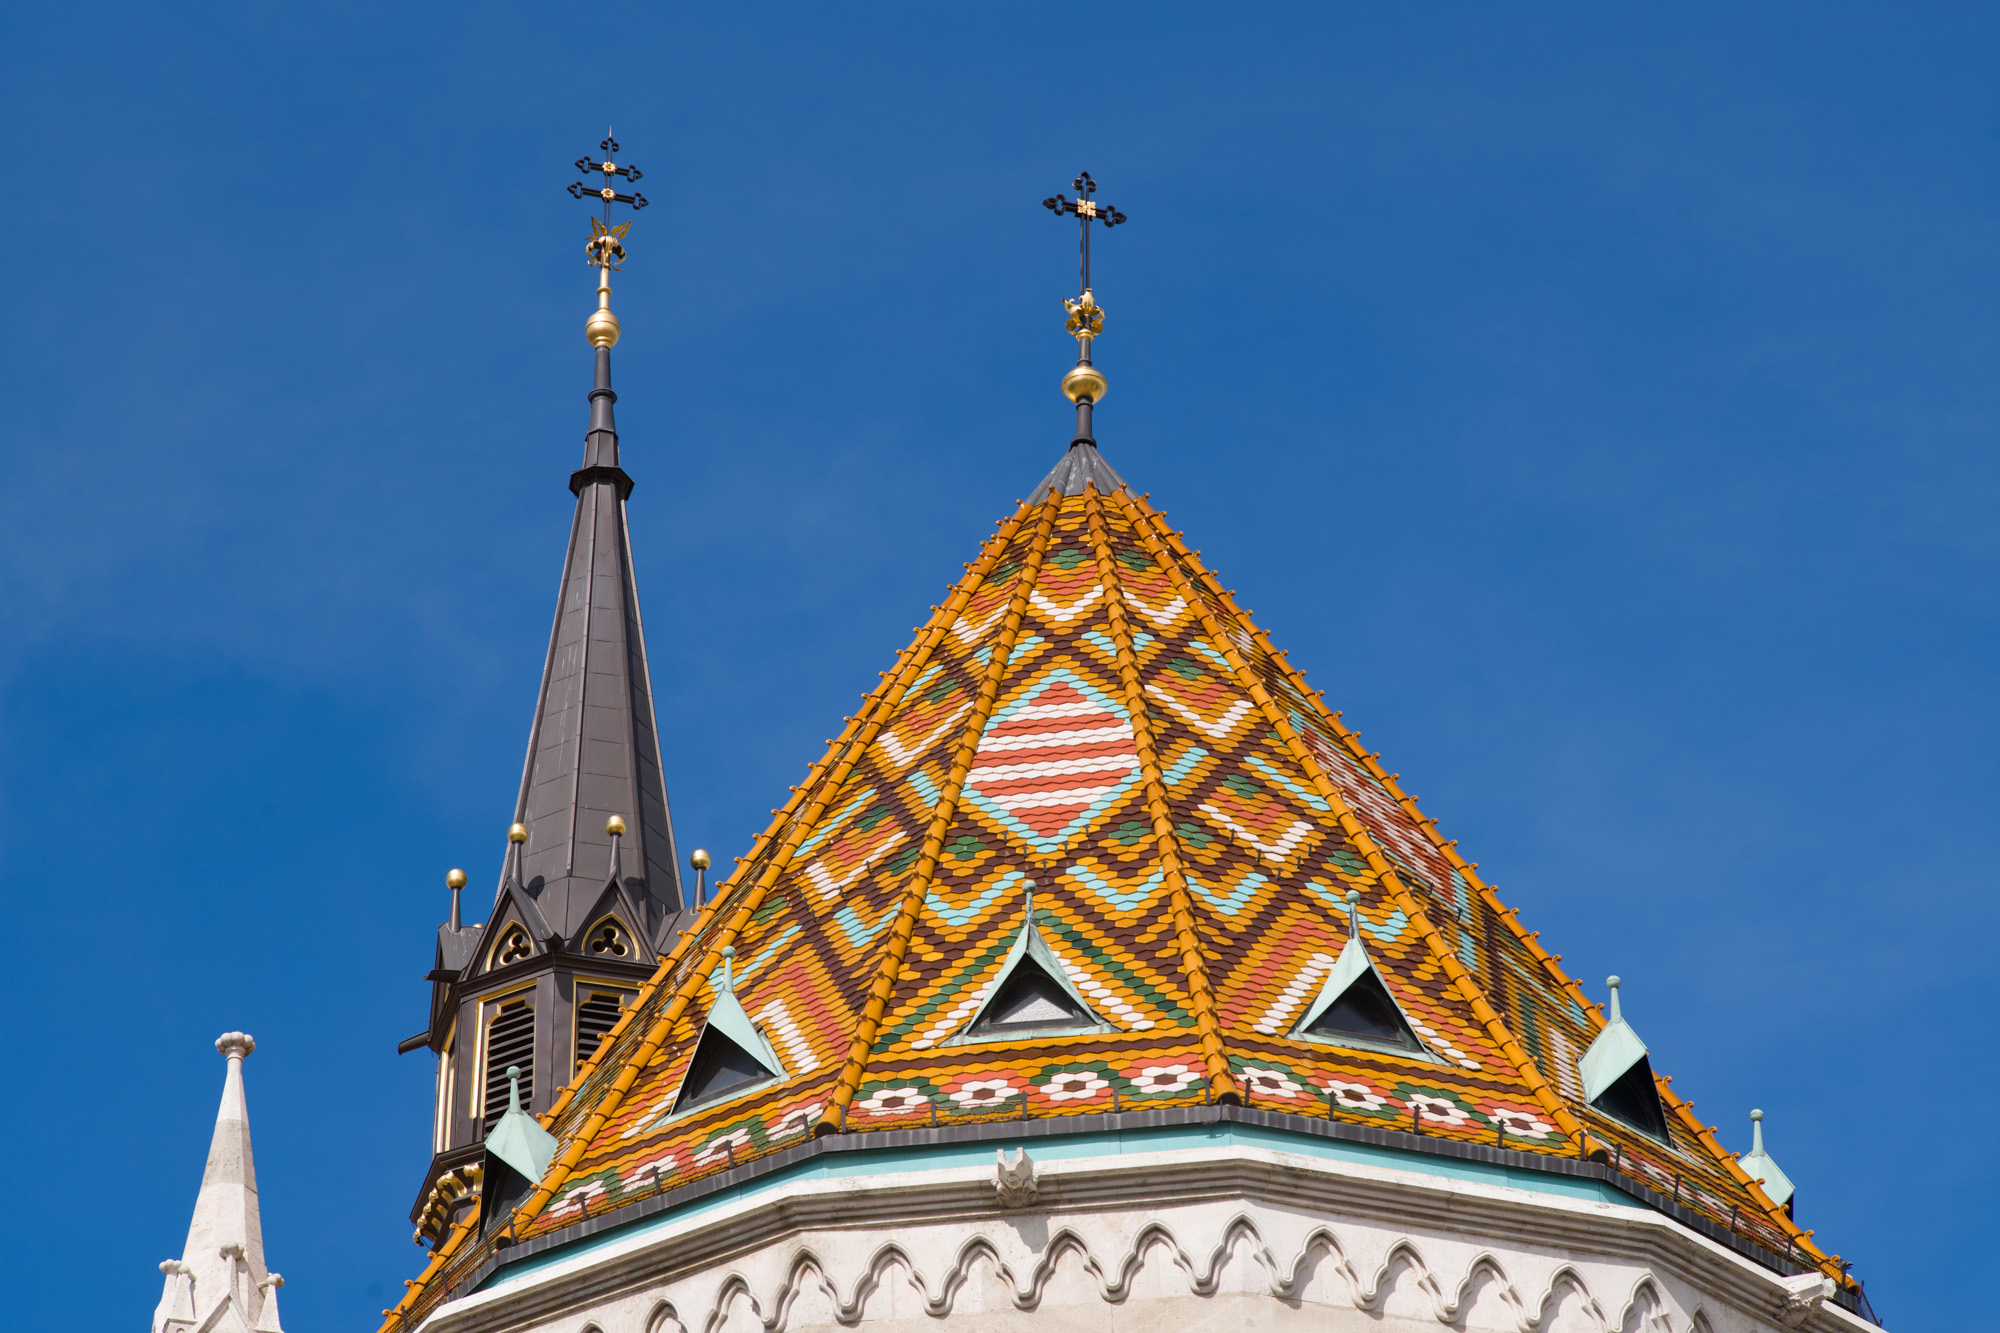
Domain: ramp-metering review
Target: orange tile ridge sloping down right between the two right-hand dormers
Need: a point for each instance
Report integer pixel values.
(1363, 840)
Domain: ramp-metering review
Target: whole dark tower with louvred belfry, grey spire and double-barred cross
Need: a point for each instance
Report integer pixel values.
(589, 896)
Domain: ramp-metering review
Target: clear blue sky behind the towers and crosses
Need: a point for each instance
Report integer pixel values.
(1601, 405)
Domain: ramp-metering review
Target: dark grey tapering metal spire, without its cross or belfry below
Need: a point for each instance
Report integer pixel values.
(595, 746)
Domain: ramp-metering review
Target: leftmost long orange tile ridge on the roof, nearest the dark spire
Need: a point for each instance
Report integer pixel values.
(859, 736)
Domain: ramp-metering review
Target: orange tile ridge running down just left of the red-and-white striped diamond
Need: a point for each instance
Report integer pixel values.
(883, 988)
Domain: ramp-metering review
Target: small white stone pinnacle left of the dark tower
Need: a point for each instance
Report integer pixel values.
(223, 1262)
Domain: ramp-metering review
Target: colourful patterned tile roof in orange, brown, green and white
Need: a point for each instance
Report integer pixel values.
(1093, 720)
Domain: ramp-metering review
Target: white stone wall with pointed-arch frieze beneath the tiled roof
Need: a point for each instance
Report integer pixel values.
(1151, 1244)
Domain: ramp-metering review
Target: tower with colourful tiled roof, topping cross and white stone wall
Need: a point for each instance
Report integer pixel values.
(1099, 978)
